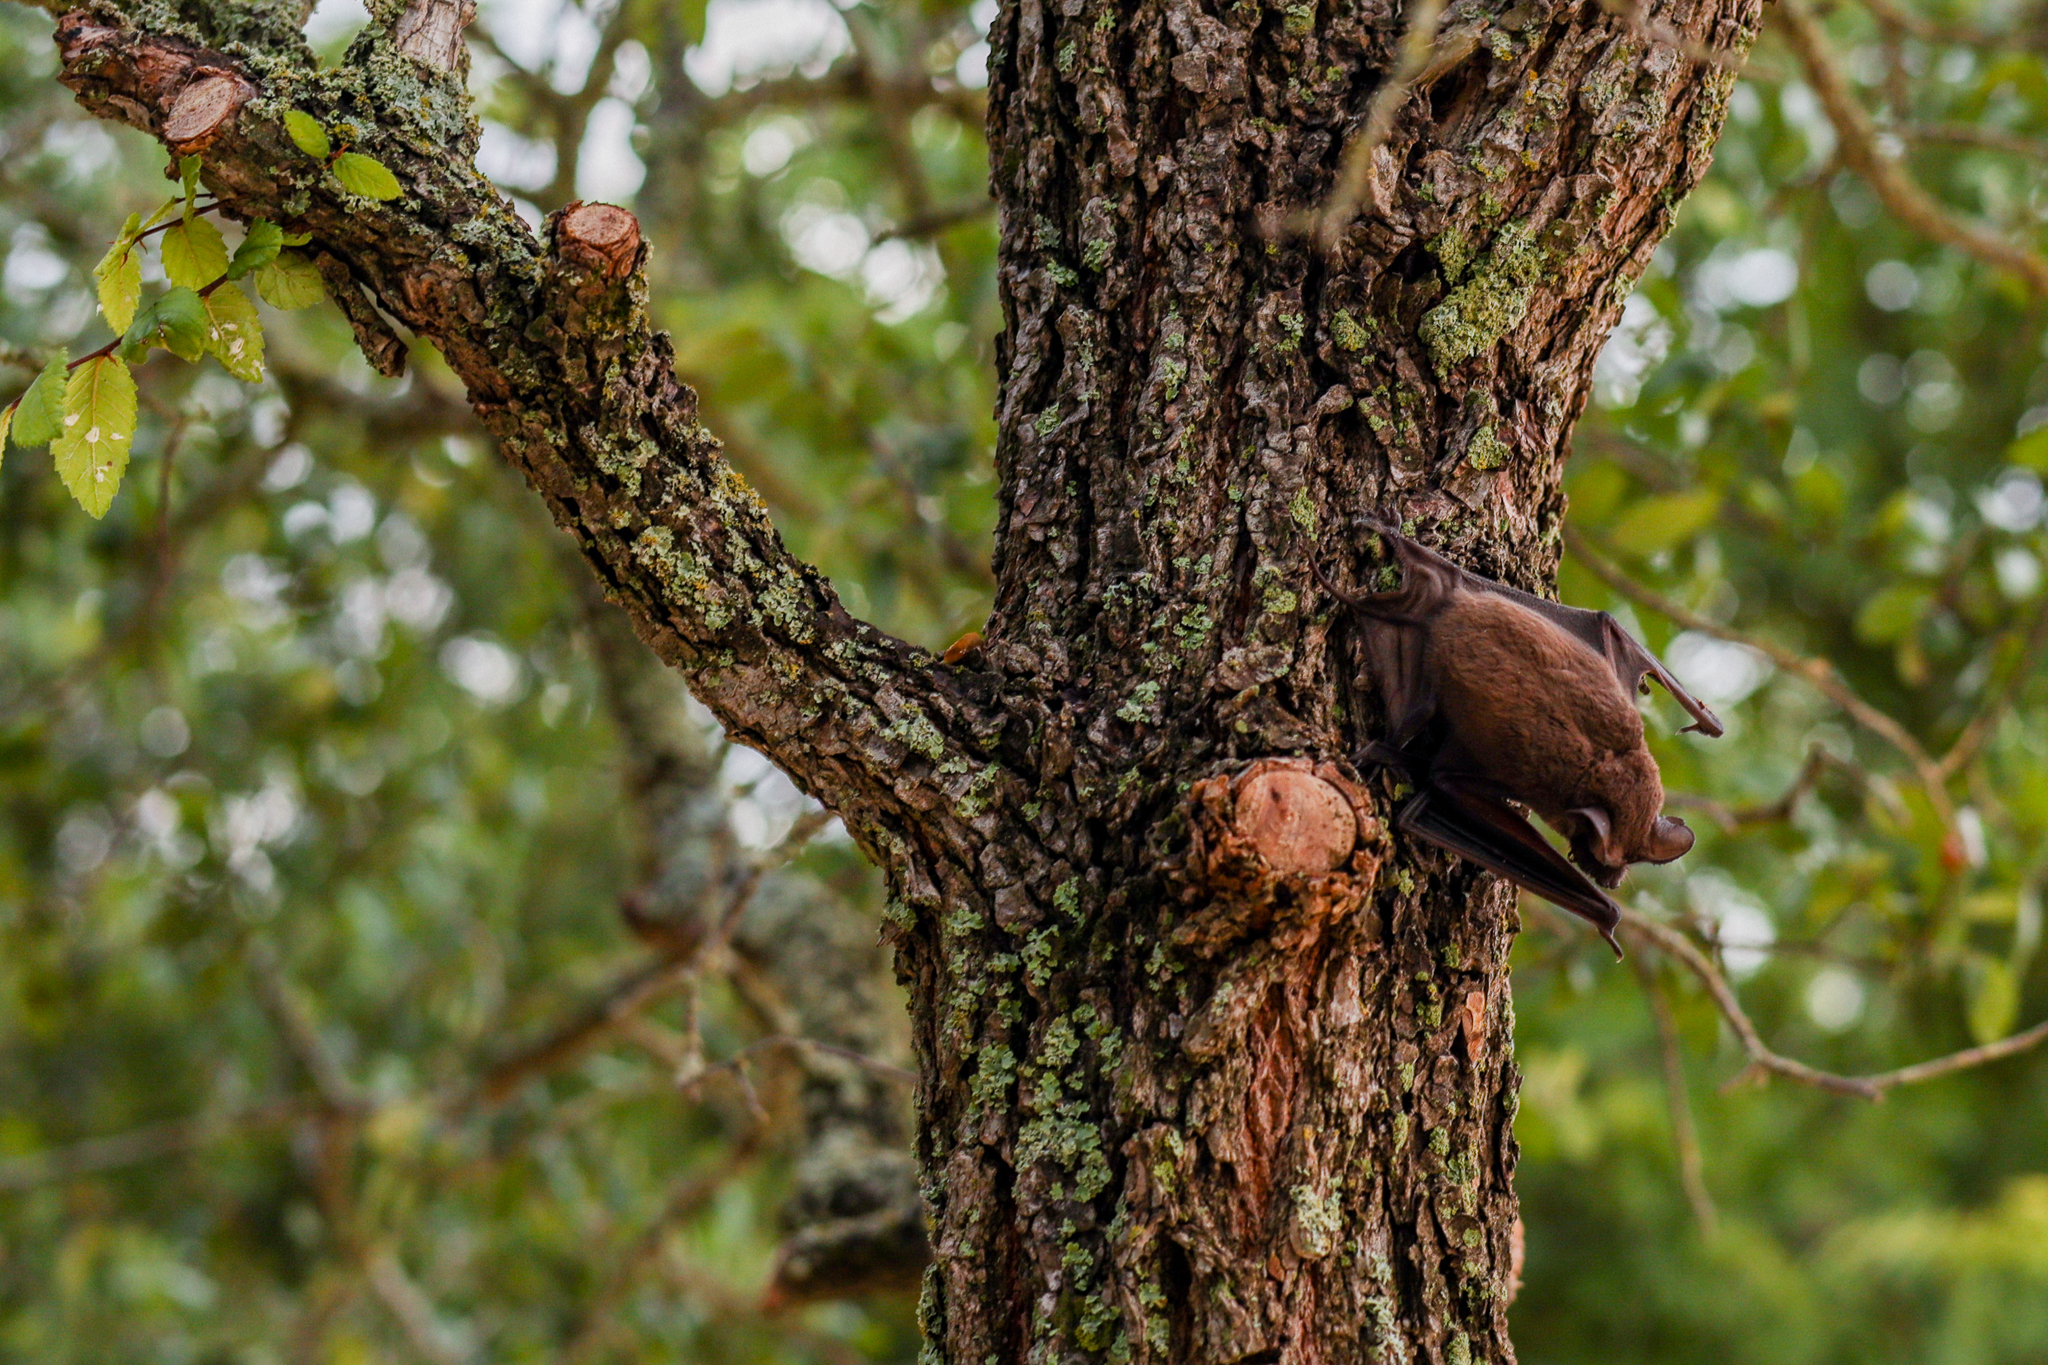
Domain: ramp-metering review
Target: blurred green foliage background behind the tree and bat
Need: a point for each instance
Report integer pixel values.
(394, 965)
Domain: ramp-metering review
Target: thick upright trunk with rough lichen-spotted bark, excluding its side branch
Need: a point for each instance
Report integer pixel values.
(1183, 1106)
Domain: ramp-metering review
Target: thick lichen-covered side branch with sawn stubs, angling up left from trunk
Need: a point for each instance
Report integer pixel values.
(566, 371)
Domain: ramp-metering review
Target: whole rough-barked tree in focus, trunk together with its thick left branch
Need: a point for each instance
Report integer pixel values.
(1211, 1069)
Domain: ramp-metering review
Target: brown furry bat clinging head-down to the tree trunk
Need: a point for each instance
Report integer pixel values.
(1500, 699)
